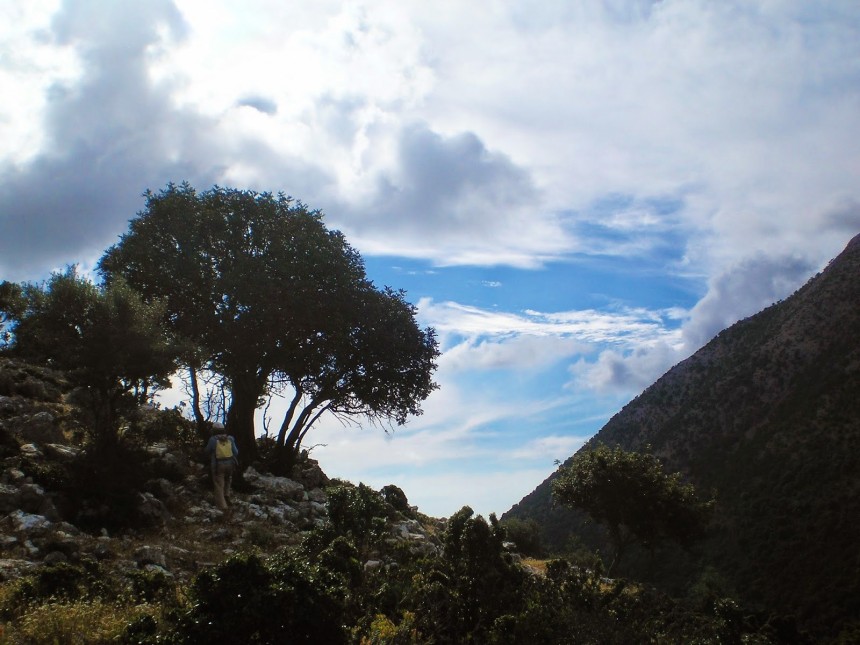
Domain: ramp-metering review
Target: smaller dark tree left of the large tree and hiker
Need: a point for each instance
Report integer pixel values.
(109, 342)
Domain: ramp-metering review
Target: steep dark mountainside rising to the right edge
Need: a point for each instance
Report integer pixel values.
(767, 414)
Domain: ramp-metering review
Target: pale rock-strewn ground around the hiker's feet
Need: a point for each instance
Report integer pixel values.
(180, 529)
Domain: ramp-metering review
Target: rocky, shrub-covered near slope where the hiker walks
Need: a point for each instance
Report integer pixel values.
(132, 550)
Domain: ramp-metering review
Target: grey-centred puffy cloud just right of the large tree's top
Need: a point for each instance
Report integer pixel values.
(452, 193)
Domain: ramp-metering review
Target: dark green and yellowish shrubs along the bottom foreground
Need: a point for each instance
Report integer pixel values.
(324, 590)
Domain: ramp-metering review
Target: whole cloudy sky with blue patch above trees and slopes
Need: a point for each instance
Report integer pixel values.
(575, 194)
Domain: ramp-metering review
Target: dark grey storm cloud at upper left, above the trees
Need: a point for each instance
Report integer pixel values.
(110, 135)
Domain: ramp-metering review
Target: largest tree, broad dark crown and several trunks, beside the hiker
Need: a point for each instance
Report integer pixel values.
(259, 291)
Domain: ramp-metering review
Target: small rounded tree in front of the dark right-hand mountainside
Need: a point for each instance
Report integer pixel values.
(633, 497)
